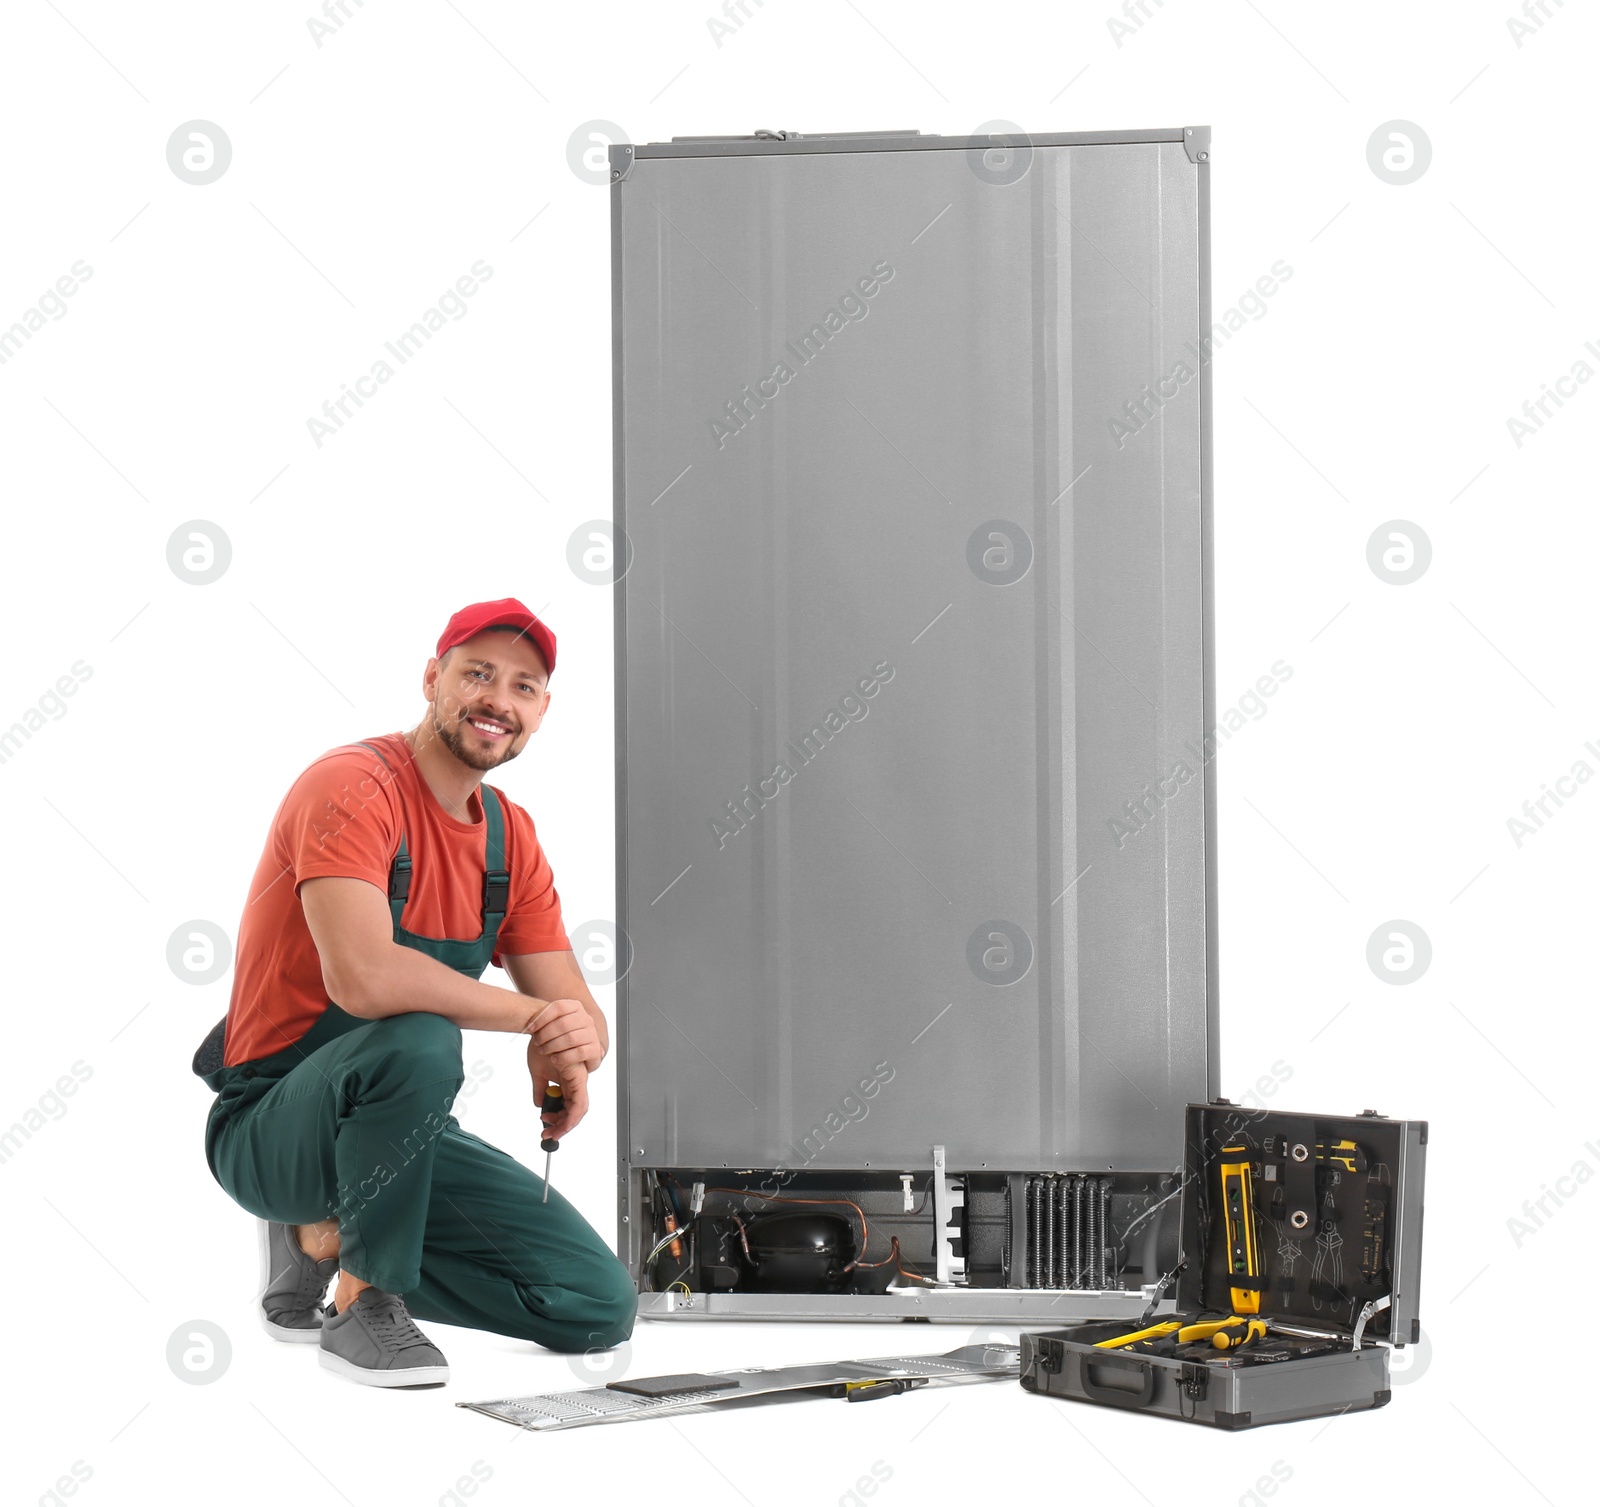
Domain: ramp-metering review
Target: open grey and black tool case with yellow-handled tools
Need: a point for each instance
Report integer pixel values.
(1303, 1234)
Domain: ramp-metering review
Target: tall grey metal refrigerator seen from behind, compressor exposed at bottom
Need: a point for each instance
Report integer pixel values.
(914, 719)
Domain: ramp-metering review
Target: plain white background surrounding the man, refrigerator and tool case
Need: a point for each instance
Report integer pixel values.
(372, 172)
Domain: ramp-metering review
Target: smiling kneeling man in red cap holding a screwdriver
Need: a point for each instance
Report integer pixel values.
(393, 876)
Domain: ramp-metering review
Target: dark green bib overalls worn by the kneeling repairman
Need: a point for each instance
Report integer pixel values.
(354, 1119)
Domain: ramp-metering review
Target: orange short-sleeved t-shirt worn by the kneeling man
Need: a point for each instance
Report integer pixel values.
(345, 817)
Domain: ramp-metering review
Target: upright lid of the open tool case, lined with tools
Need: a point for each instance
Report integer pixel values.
(1338, 1217)
